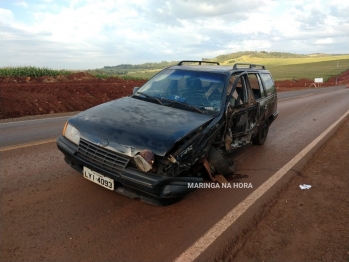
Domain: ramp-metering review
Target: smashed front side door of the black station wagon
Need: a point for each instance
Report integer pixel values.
(242, 112)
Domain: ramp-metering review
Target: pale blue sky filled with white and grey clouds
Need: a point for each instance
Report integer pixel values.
(89, 34)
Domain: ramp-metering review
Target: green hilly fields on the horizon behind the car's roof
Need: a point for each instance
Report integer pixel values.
(283, 66)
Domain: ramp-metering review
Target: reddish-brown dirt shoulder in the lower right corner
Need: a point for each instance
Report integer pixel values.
(310, 224)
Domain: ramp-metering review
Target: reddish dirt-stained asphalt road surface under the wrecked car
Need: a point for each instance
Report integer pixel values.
(50, 212)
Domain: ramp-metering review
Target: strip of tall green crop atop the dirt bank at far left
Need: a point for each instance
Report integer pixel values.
(31, 71)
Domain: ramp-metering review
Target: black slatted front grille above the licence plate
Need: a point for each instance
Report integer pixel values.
(103, 157)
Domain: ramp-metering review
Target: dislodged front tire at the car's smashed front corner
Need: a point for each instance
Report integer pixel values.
(221, 164)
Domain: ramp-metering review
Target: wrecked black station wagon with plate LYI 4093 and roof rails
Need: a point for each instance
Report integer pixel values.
(184, 120)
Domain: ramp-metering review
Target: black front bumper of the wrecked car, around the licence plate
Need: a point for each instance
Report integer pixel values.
(130, 181)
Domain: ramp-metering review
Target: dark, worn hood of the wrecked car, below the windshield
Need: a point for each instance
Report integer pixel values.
(131, 125)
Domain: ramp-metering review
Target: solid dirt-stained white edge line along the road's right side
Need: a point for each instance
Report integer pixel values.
(214, 232)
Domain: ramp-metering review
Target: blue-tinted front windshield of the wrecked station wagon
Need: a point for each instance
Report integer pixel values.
(202, 90)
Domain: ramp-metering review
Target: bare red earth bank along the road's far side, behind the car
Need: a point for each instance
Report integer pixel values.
(22, 96)
